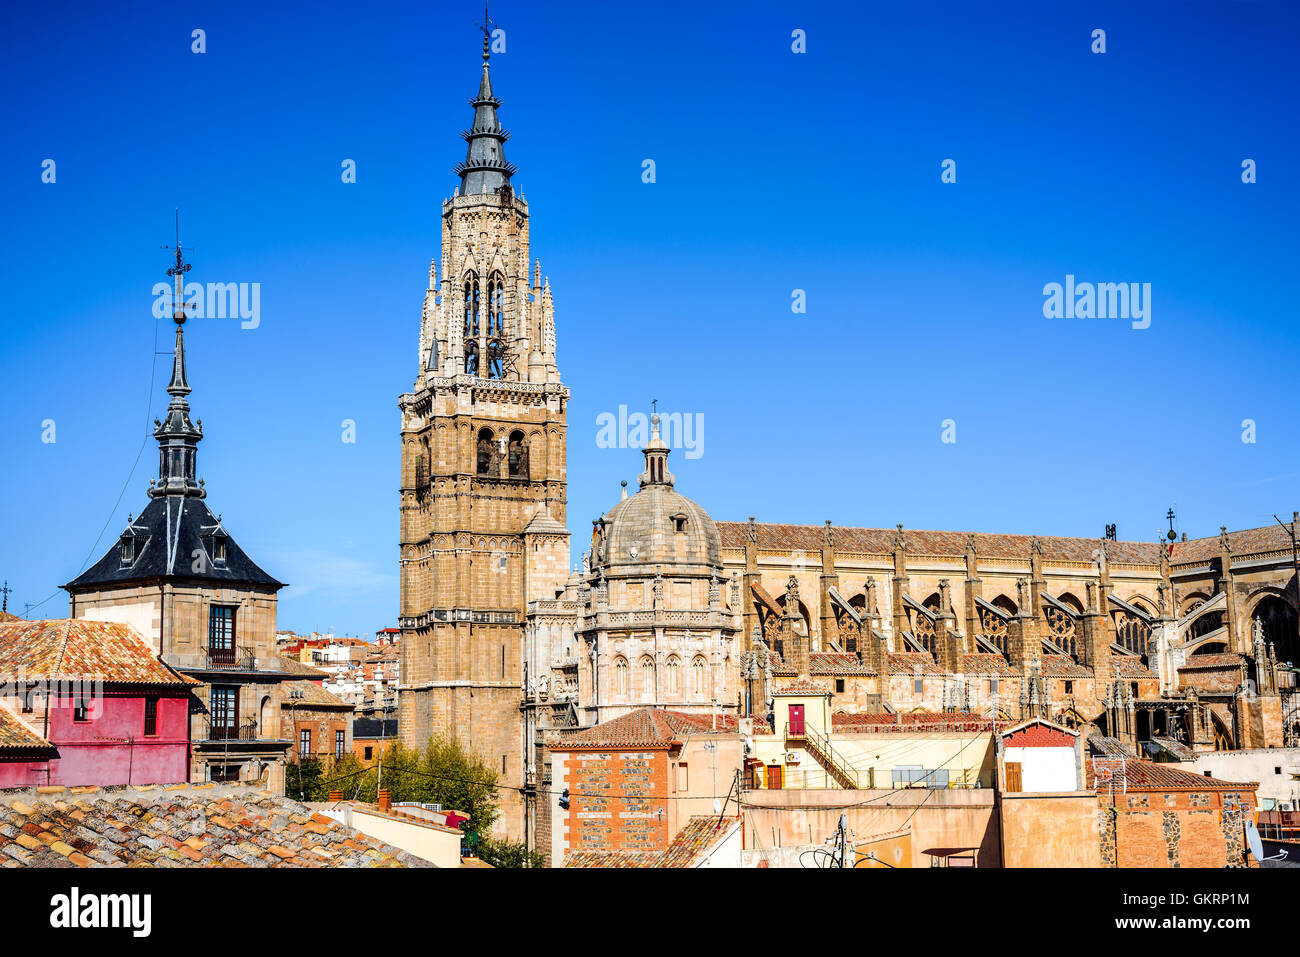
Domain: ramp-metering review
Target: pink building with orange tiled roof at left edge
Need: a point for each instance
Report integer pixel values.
(89, 703)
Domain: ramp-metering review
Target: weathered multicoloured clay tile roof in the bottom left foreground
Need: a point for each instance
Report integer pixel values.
(180, 826)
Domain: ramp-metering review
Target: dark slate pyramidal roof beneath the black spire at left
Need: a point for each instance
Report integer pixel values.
(158, 557)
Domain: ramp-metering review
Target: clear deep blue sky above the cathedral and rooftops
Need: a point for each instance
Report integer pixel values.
(774, 172)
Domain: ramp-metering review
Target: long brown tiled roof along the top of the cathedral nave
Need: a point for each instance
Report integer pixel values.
(879, 542)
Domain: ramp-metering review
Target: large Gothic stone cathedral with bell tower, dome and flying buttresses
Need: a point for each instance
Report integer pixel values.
(1145, 648)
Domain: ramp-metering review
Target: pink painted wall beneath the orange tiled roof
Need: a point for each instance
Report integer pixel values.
(101, 751)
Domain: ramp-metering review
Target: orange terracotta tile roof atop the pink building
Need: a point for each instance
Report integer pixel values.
(77, 648)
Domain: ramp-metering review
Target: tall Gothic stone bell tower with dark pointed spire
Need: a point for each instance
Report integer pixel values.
(483, 454)
